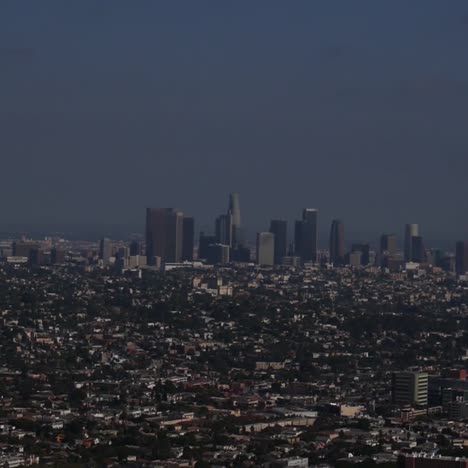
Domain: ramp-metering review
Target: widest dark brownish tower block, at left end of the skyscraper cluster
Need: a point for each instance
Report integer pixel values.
(164, 235)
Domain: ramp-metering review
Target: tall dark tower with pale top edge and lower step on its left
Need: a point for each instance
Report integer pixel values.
(306, 235)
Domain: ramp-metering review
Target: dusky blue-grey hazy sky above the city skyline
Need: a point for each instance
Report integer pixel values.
(358, 108)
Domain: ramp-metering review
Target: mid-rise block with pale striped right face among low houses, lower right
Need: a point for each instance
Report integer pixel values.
(410, 388)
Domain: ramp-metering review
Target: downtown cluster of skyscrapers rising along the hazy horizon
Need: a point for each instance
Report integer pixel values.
(170, 239)
